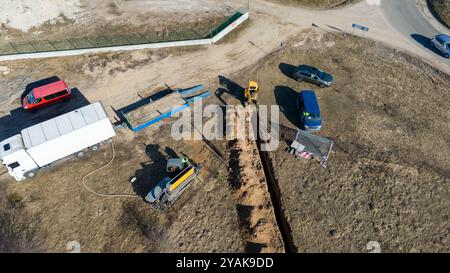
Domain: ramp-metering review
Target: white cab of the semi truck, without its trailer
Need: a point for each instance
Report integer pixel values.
(14, 156)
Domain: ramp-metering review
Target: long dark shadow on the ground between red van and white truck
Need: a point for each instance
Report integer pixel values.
(19, 119)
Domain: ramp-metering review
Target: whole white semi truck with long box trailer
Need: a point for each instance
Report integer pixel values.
(45, 143)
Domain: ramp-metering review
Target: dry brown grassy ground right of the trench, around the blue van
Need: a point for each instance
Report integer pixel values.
(388, 176)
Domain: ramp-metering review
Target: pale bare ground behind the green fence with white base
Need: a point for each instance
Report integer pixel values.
(24, 19)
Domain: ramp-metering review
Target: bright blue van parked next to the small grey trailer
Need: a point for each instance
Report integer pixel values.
(309, 109)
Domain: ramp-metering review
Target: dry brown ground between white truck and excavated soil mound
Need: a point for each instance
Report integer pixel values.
(204, 219)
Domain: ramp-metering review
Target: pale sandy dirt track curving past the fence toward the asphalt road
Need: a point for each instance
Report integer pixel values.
(270, 26)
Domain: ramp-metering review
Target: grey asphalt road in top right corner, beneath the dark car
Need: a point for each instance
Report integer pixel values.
(406, 18)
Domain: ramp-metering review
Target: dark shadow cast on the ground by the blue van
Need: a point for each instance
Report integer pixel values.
(286, 98)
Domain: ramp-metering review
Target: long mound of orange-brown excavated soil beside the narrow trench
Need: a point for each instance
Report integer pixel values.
(259, 226)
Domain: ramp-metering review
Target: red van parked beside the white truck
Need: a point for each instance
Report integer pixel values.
(45, 95)
